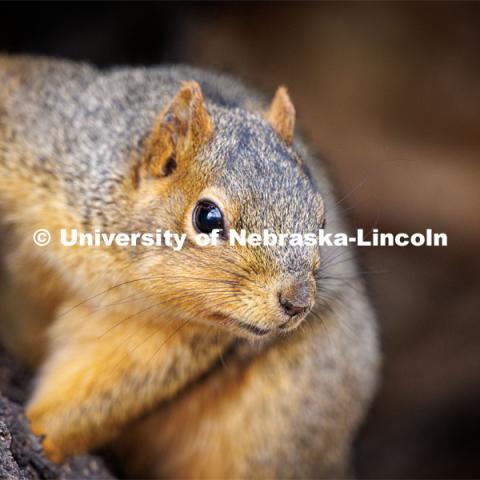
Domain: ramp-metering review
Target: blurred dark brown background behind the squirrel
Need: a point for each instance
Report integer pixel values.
(389, 93)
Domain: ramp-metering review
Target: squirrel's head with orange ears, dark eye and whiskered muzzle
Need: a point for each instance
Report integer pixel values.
(207, 167)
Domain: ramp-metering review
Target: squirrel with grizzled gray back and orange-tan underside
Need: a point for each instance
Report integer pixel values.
(208, 362)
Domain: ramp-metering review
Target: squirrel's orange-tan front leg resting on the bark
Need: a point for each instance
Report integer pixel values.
(103, 371)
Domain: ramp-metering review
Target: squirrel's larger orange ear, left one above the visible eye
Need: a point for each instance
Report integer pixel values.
(180, 130)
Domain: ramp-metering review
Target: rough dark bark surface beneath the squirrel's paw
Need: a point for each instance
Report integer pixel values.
(21, 456)
